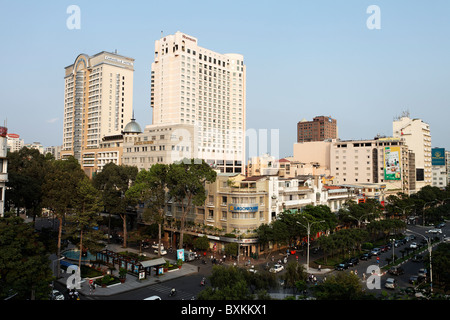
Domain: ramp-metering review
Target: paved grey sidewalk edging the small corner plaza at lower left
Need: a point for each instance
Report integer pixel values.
(132, 282)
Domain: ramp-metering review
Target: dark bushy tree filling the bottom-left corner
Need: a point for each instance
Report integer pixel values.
(24, 264)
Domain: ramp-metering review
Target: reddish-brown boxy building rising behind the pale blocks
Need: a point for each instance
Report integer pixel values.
(319, 129)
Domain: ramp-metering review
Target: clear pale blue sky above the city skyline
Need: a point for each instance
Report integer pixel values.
(303, 58)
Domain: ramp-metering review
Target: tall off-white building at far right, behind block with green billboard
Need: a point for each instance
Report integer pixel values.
(416, 135)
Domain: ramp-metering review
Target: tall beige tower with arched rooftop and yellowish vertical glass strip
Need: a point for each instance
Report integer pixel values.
(98, 103)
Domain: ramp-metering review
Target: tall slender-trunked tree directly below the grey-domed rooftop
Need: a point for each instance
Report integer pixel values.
(114, 181)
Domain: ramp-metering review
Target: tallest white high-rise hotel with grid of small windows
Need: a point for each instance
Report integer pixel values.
(196, 86)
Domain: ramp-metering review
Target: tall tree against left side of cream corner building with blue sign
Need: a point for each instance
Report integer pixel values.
(186, 185)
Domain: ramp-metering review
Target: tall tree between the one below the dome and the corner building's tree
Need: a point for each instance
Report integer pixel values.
(150, 187)
